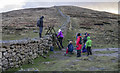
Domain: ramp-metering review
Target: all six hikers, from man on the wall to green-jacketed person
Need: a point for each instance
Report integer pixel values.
(82, 44)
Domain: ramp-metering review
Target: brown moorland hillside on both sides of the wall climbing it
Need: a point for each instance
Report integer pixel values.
(102, 26)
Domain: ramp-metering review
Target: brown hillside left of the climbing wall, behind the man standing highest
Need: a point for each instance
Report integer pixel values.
(23, 22)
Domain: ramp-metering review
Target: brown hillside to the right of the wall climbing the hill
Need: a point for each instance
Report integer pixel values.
(102, 26)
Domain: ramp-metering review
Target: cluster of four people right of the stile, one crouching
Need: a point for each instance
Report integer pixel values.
(85, 48)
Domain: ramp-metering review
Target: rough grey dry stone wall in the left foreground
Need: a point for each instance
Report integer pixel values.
(14, 54)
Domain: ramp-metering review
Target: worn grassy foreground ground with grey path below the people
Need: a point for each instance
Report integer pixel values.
(97, 62)
